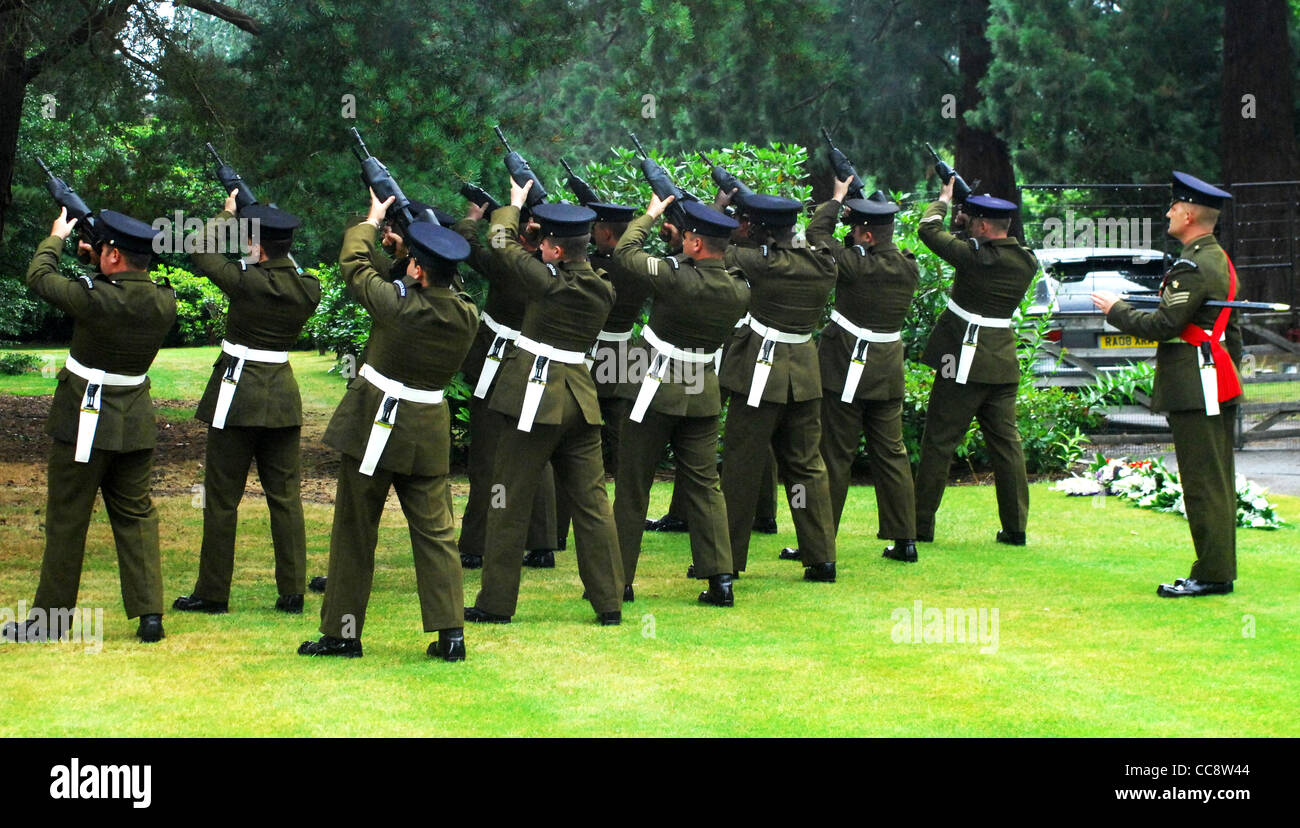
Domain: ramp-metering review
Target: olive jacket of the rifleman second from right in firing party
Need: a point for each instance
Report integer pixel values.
(874, 292)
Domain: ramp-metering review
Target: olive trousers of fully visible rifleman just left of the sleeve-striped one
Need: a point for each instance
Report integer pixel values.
(574, 449)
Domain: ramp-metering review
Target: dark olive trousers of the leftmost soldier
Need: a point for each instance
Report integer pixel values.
(124, 478)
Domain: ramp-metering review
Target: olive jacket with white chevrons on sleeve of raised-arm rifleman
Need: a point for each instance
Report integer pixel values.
(696, 307)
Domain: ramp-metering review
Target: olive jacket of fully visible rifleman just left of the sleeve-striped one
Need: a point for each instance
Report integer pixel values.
(567, 307)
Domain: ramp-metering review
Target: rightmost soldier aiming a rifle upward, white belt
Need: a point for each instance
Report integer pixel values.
(973, 350)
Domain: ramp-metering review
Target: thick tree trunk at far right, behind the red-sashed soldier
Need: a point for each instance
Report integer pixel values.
(1259, 145)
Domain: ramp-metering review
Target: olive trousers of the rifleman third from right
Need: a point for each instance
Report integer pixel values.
(794, 432)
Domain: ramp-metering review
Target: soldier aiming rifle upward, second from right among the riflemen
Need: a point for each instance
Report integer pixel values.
(861, 356)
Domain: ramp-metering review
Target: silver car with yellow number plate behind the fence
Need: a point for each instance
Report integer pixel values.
(1080, 336)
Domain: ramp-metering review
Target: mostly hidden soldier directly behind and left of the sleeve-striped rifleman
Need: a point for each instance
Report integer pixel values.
(610, 353)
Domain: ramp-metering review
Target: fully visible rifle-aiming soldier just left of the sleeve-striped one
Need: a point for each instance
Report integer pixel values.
(547, 389)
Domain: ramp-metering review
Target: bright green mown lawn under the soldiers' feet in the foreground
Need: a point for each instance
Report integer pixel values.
(1085, 647)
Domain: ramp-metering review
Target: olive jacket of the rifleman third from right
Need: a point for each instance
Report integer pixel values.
(788, 291)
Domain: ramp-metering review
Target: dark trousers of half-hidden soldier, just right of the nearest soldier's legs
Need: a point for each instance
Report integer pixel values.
(488, 427)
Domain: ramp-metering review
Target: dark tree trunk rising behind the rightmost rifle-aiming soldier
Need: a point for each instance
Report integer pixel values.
(981, 154)
